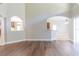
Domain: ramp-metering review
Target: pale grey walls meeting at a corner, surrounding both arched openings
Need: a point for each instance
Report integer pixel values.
(35, 17)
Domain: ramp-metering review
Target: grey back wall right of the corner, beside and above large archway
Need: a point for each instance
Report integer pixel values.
(37, 15)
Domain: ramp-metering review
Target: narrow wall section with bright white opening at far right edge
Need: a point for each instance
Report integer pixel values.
(75, 14)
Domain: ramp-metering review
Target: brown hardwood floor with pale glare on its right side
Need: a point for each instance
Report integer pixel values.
(40, 48)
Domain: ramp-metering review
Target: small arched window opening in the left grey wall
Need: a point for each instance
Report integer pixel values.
(16, 23)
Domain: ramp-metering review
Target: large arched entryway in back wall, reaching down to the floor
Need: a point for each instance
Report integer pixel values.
(58, 25)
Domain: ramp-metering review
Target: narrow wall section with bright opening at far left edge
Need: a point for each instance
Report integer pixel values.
(3, 15)
